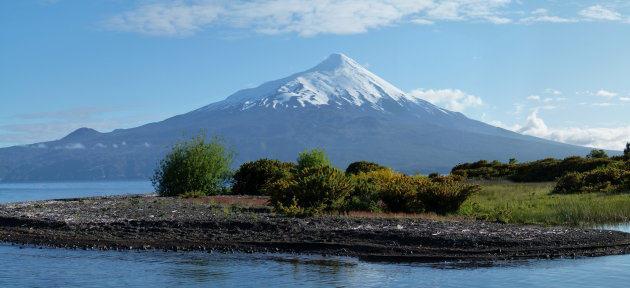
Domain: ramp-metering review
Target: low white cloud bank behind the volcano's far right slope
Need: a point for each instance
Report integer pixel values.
(603, 138)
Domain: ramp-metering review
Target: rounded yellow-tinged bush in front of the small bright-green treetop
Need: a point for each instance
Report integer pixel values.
(315, 190)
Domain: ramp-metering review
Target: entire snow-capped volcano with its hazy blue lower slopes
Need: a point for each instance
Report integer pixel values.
(337, 105)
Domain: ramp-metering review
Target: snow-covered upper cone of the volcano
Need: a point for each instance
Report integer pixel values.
(337, 81)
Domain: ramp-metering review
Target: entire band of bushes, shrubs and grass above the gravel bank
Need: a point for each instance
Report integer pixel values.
(572, 191)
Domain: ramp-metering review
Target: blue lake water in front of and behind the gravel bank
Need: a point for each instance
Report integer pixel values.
(34, 266)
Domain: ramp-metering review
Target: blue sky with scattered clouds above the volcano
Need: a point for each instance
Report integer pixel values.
(552, 69)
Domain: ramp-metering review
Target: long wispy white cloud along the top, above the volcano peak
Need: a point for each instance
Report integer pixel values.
(304, 17)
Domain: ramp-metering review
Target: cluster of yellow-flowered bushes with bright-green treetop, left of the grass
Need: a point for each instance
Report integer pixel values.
(317, 187)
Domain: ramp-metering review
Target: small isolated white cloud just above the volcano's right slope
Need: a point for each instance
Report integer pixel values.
(455, 100)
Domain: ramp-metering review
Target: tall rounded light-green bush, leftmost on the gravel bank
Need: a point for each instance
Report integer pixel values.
(195, 165)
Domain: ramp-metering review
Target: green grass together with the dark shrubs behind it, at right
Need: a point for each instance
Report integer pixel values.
(579, 191)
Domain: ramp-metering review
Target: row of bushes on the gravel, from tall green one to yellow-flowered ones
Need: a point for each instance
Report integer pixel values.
(196, 168)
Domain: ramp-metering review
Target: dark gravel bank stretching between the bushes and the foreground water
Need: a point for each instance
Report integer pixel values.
(150, 222)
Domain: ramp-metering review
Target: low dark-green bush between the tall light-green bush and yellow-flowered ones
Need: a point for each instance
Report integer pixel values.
(252, 178)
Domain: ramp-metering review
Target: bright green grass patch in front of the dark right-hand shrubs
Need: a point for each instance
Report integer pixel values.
(533, 203)
